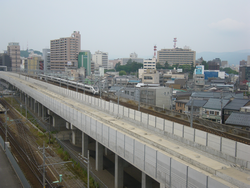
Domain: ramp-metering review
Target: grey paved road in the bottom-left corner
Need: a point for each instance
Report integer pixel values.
(8, 178)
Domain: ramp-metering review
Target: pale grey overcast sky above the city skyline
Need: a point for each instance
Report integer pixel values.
(121, 27)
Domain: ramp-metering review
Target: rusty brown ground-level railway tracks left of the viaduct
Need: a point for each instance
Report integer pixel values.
(24, 147)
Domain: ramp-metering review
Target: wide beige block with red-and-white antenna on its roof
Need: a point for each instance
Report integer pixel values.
(176, 56)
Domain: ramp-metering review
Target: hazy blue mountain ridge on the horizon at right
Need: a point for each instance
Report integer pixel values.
(231, 57)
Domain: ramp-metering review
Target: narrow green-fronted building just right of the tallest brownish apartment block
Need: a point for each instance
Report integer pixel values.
(84, 60)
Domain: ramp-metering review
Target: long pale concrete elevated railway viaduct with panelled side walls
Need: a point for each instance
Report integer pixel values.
(161, 153)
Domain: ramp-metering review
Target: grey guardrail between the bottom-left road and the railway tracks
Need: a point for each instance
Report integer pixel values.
(15, 166)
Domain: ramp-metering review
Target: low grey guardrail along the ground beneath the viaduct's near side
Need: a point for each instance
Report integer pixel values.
(82, 164)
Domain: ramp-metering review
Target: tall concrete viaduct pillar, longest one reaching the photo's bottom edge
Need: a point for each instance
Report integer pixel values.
(118, 172)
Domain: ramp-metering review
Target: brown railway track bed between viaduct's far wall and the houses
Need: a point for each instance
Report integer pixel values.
(208, 128)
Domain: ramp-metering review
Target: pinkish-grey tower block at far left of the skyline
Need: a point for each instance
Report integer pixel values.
(13, 50)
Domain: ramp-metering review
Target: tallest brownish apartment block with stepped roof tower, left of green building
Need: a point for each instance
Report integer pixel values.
(64, 51)
